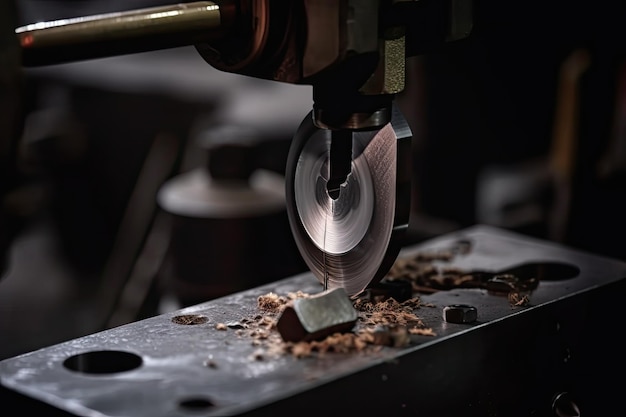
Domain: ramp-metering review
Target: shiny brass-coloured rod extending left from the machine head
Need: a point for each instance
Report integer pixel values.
(118, 33)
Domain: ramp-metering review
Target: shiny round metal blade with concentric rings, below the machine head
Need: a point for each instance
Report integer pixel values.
(351, 241)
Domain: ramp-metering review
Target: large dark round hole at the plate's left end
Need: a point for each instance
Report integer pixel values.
(103, 362)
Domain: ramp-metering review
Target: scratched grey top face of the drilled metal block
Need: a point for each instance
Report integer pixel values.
(173, 357)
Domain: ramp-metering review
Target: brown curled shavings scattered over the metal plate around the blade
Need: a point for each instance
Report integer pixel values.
(381, 322)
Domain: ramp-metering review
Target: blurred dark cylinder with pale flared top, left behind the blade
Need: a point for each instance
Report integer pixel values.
(230, 230)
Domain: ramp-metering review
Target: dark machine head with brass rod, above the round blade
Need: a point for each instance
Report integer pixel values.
(351, 51)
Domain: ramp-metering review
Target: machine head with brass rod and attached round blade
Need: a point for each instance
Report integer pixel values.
(348, 172)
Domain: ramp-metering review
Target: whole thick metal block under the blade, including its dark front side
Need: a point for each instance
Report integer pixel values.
(512, 361)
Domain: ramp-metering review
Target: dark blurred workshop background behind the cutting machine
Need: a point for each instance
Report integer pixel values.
(519, 126)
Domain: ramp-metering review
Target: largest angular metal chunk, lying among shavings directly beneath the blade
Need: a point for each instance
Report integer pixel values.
(314, 318)
